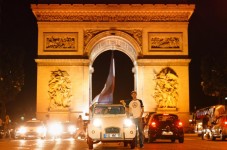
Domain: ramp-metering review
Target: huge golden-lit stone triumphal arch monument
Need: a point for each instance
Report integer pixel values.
(72, 36)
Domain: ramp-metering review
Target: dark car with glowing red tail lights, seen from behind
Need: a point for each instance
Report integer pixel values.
(164, 126)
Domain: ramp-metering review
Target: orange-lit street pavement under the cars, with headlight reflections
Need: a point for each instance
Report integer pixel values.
(191, 142)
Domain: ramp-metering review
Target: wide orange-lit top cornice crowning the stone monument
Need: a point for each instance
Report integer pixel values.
(113, 12)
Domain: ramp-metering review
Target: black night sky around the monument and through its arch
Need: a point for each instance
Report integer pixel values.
(207, 34)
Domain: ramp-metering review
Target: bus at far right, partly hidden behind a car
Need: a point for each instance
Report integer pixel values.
(213, 111)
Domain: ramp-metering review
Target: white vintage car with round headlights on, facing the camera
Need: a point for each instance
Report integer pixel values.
(109, 123)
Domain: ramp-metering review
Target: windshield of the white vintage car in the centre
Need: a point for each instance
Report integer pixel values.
(109, 110)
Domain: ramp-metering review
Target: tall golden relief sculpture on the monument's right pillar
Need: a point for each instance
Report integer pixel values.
(166, 89)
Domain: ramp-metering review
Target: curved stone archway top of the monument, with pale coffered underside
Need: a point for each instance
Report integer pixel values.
(113, 40)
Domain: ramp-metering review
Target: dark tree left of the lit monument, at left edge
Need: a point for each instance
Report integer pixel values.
(11, 73)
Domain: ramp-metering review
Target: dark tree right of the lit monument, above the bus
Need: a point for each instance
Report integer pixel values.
(214, 74)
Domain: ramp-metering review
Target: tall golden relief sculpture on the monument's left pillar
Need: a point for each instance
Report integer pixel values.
(59, 90)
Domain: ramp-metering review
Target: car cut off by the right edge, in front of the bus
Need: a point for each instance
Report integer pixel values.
(219, 129)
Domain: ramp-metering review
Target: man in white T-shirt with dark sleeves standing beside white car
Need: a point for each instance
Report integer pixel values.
(136, 110)
